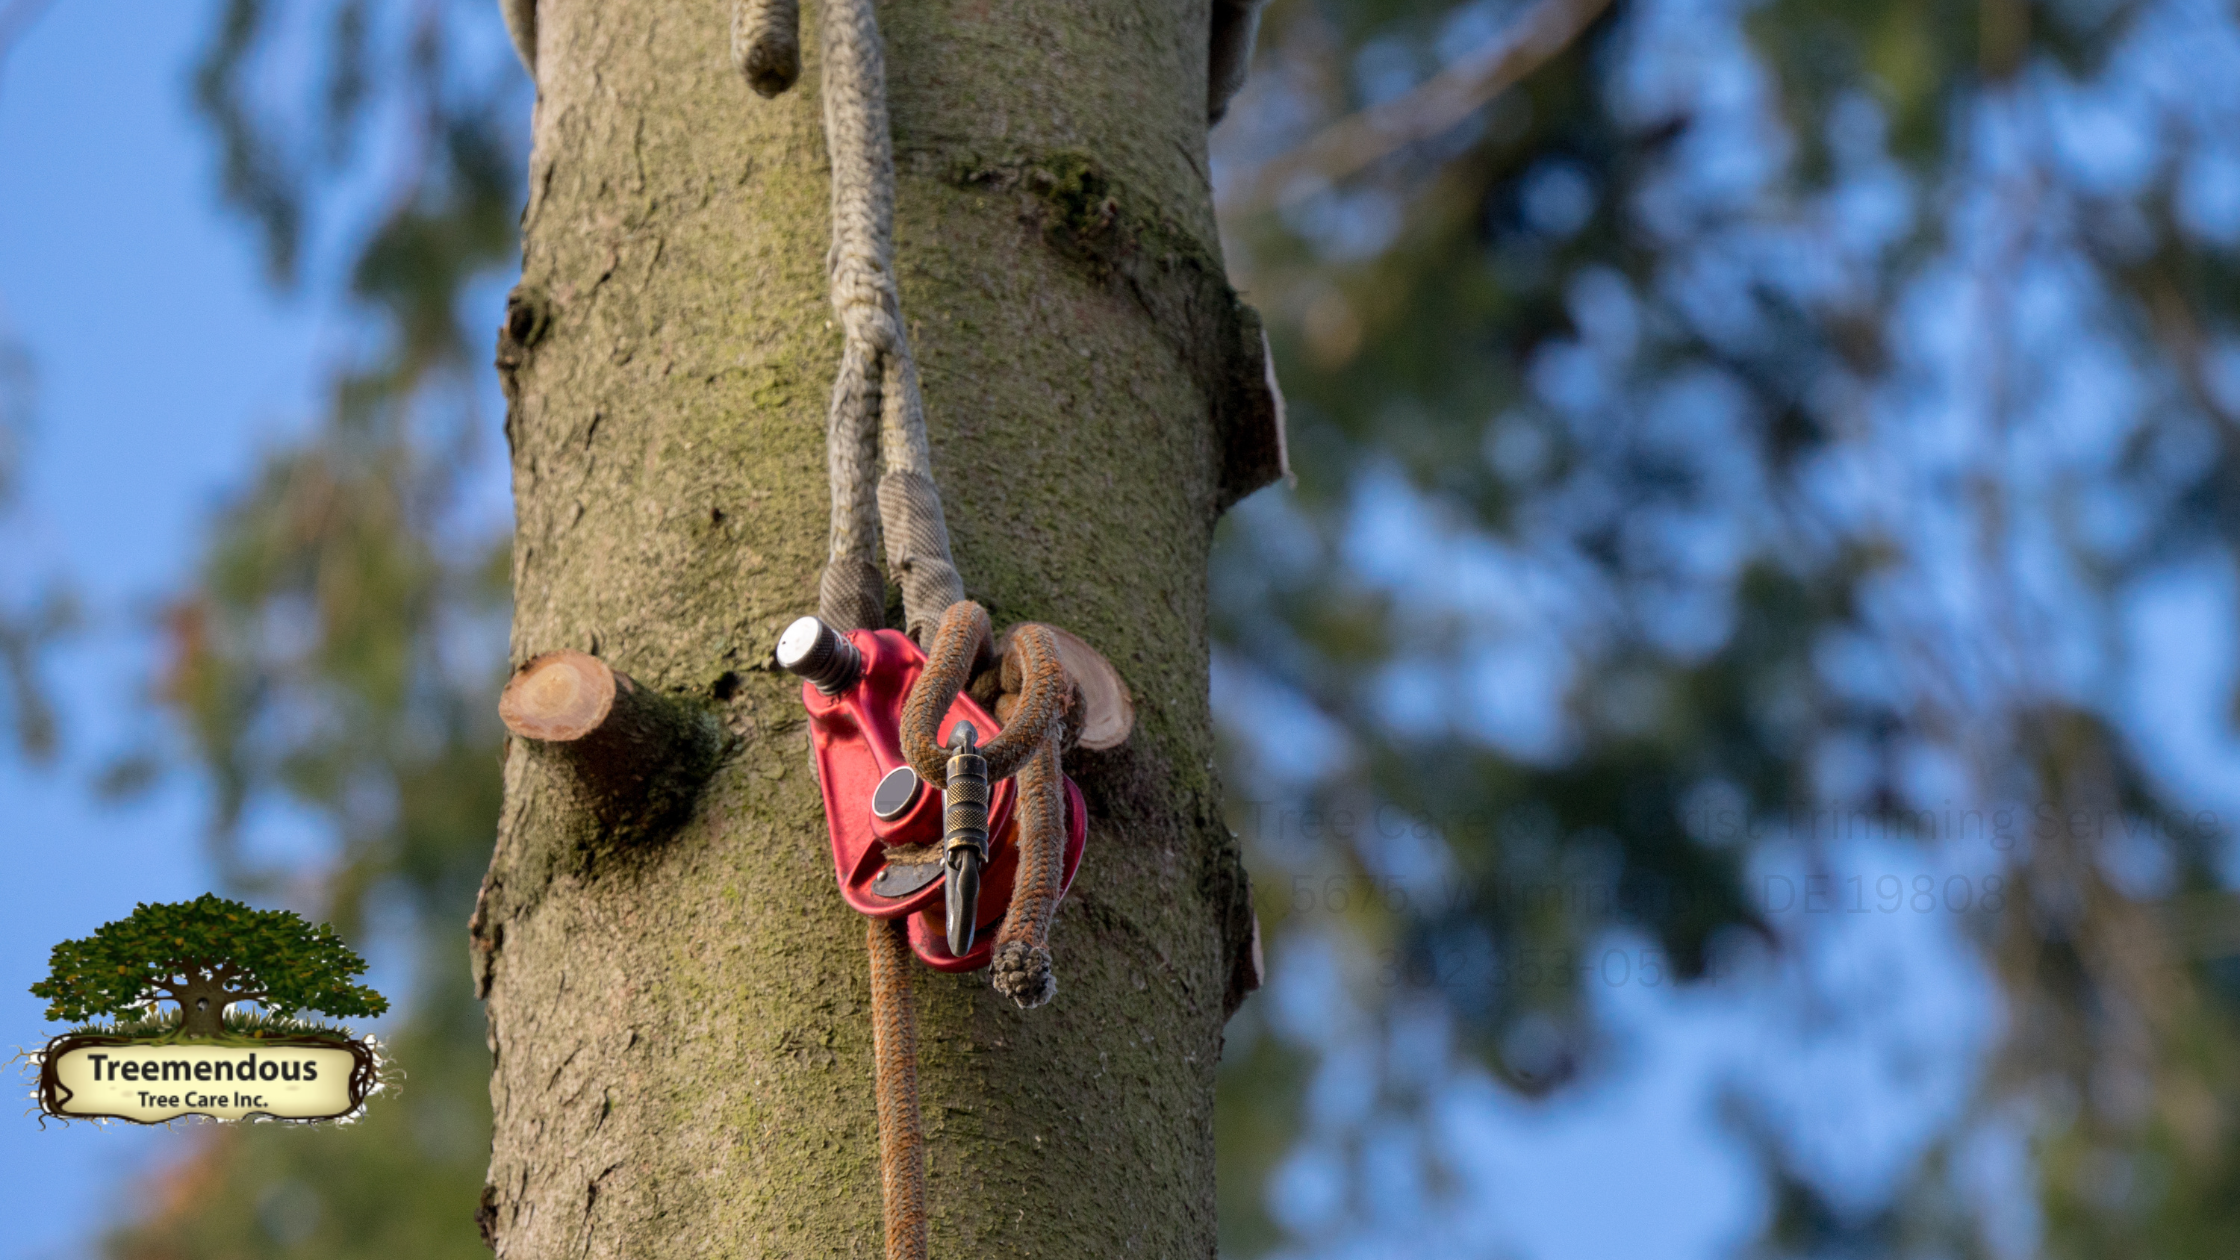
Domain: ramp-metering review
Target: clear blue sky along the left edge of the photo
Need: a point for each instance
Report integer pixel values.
(162, 367)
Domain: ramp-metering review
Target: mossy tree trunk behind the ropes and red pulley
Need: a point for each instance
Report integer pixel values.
(680, 1021)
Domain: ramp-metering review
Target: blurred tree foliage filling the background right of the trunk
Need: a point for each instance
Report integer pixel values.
(1735, 438)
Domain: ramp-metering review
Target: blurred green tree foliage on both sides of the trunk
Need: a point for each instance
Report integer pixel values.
(1755, 411)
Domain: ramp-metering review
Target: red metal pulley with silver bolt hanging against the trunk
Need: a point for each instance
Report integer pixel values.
(886, 824)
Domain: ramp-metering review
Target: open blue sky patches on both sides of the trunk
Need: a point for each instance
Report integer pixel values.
(167, 367)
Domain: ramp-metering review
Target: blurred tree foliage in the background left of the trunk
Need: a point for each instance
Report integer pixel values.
(342, 645)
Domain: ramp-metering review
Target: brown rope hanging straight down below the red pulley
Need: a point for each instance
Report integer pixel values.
(895, 1057)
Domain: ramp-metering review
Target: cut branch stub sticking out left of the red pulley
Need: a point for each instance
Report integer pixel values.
(635, 757)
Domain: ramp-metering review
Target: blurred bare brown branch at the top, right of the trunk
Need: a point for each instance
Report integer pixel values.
(1441, 102)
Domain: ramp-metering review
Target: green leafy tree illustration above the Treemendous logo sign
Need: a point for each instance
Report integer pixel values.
(207, 954)
